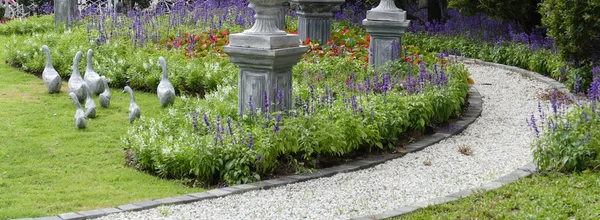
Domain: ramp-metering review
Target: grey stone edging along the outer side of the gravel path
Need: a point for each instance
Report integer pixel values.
(525, 171)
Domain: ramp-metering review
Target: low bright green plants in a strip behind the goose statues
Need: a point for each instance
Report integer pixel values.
(120, 62)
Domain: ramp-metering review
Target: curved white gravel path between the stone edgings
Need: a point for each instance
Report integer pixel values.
(500, 141)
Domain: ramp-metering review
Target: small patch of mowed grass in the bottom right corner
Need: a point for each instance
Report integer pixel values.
(553, 196)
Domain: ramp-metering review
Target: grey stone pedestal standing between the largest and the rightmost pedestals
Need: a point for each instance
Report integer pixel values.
(315, 17)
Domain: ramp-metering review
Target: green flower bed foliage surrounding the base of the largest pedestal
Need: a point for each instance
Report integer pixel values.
(181, 144)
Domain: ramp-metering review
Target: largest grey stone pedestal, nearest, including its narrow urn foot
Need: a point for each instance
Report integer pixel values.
(265, 56)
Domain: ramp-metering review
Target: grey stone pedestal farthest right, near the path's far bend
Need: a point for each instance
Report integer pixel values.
(385, 24)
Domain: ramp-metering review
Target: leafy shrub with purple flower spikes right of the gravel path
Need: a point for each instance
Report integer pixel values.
(569, 140)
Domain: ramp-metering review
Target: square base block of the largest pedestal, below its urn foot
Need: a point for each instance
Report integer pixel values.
(263, 70)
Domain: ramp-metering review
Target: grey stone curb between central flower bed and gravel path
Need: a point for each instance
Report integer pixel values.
(473, 112)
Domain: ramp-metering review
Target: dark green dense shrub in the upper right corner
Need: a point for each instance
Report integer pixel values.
(575, 27)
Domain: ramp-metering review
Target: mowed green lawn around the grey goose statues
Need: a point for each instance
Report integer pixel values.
(48, 167)
